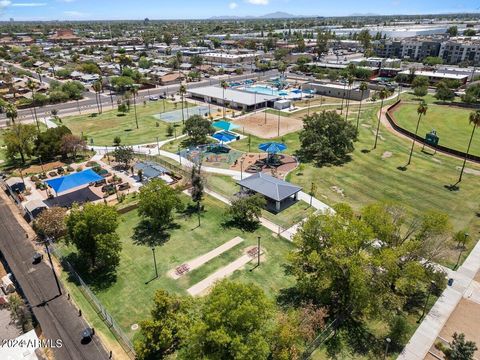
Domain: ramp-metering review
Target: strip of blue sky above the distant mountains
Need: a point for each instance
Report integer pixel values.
(188, 9)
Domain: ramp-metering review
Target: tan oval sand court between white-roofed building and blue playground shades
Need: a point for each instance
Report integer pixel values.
(268, 128)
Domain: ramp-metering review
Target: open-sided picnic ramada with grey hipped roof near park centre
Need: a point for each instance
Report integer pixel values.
(279, 194)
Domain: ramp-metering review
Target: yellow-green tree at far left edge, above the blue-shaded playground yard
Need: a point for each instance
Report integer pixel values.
(19, 140)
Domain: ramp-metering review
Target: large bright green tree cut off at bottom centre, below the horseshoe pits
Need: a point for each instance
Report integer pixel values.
(234, 323)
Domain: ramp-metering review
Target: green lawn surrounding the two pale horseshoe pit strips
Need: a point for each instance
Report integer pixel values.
(123, 296)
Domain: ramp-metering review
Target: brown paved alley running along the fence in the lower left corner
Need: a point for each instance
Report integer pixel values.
(58, 318)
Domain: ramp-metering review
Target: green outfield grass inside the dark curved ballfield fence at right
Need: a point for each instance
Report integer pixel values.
(450, 122)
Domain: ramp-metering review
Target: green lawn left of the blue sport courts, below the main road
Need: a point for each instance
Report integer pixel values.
(103, 128)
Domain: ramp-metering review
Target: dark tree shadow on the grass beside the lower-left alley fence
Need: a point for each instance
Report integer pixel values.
(97, 279)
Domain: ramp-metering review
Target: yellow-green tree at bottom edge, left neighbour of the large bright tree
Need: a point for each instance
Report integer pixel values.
(162, 333)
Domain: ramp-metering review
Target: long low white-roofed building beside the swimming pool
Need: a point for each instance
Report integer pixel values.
(236, 99)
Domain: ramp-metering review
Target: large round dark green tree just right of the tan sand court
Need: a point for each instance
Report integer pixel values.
(327, 138)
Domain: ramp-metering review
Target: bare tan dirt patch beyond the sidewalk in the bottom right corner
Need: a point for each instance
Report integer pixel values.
(464, 319)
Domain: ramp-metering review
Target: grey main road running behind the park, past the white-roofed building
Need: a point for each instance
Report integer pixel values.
(89, 101)
